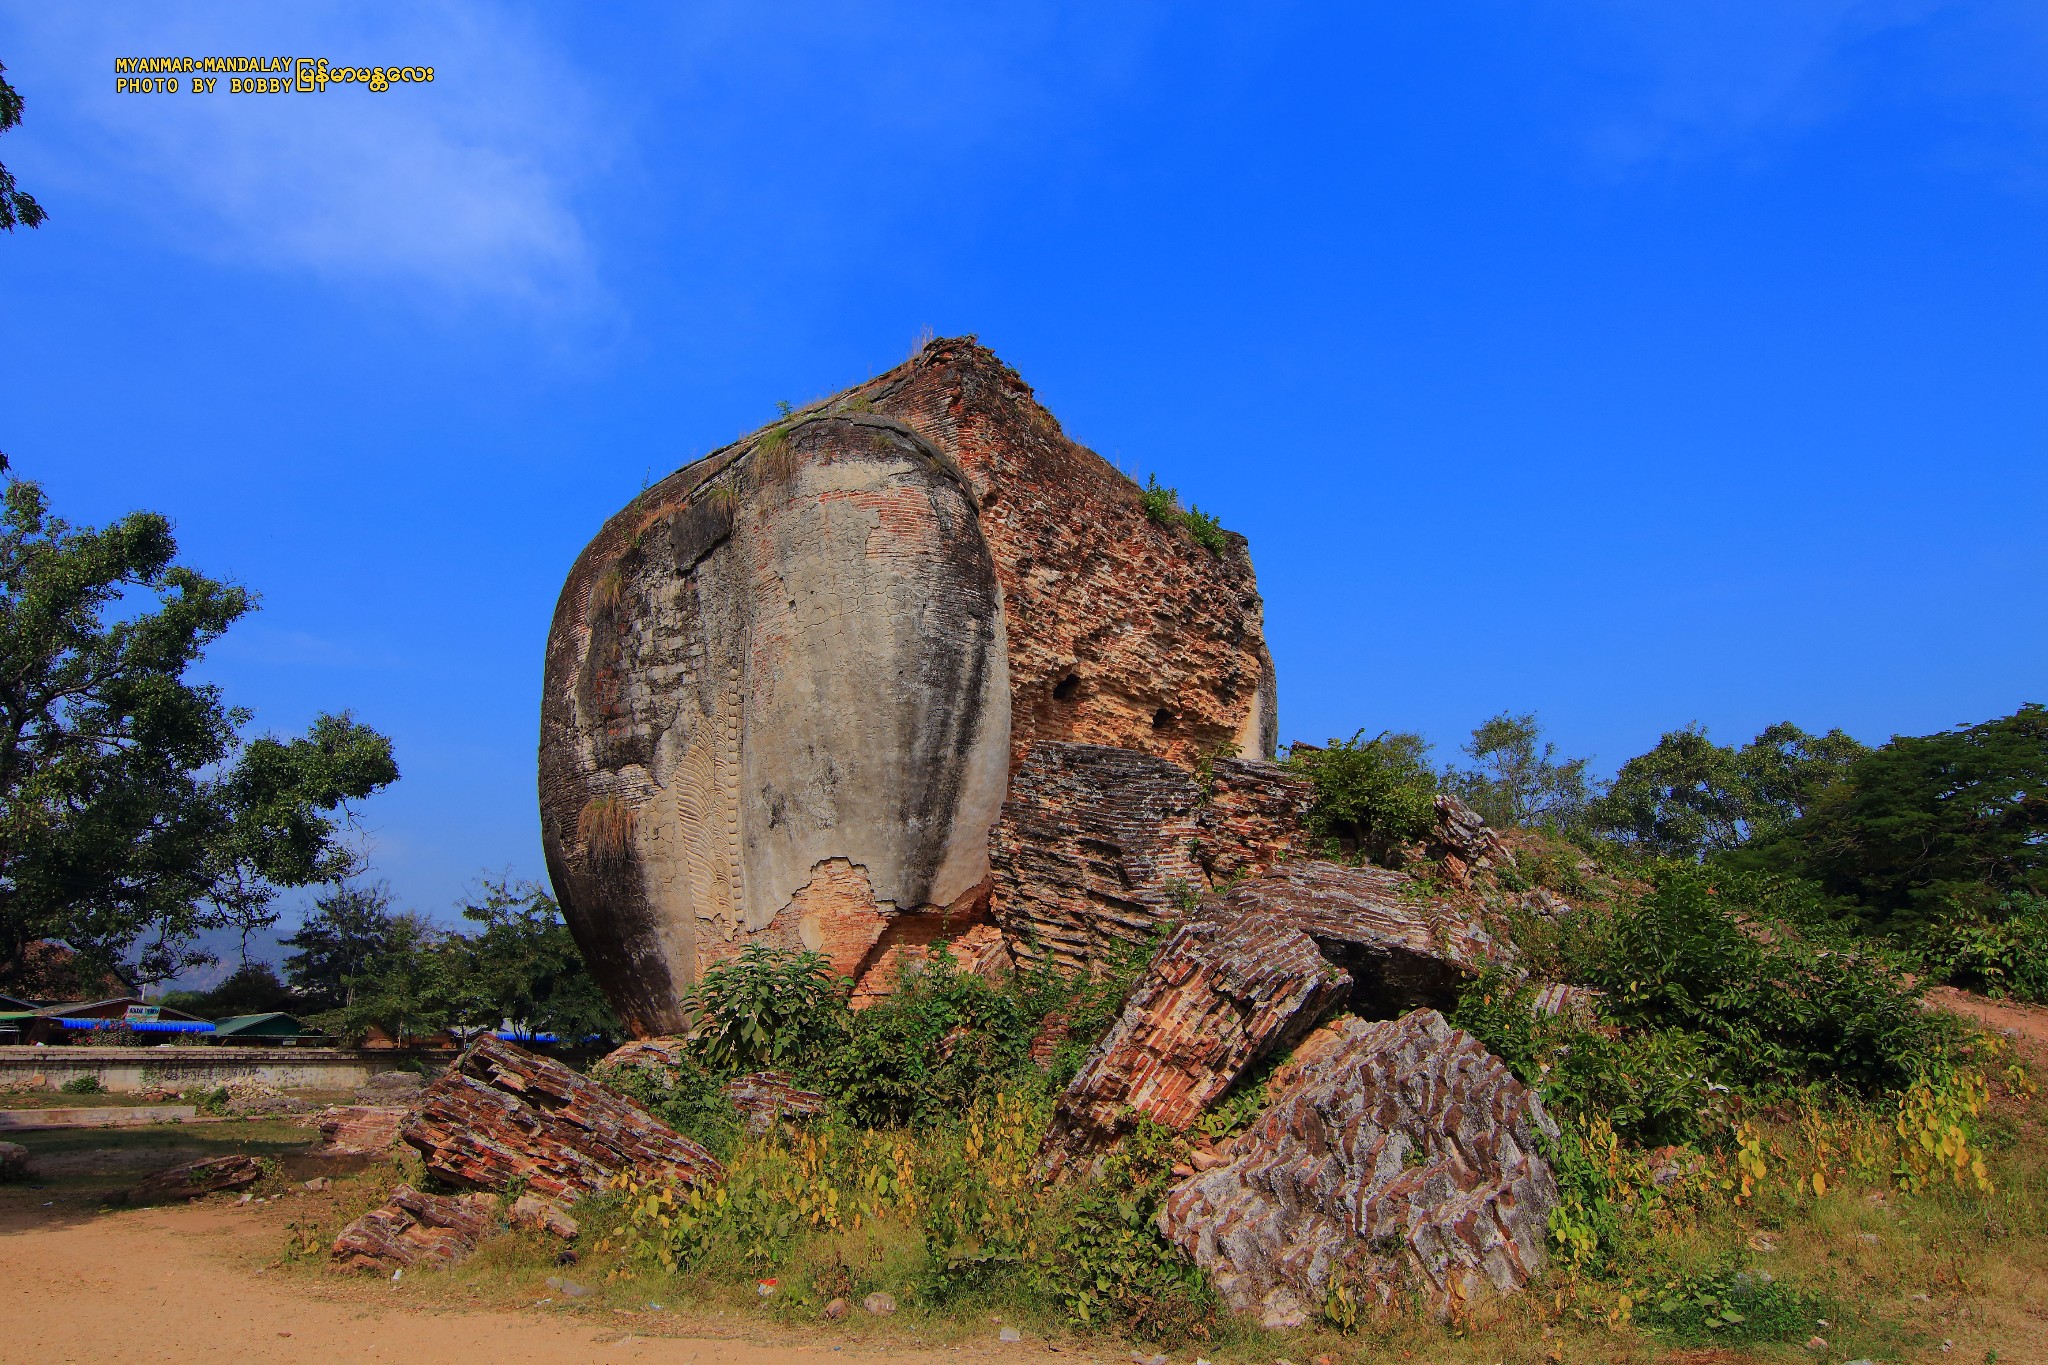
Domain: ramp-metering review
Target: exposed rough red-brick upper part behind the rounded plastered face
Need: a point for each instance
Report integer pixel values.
(1123, 633)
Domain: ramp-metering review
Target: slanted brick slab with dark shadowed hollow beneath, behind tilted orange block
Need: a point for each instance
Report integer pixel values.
(1400, 949)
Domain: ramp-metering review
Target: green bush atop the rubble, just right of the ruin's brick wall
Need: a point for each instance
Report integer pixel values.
(1371, 795)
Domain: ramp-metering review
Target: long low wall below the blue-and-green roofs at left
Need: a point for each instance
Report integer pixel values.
(140, 1069)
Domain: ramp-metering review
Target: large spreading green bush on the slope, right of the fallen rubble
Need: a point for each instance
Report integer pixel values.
(1730, 961)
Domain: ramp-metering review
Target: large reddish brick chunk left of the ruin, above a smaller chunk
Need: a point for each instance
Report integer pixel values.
(503, 1114)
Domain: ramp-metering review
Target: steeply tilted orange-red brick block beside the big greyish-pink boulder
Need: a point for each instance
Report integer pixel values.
(1220, 998)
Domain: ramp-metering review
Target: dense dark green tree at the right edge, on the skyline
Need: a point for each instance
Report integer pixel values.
(1930, 826)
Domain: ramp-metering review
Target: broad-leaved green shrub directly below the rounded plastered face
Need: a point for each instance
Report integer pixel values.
(767, 1008)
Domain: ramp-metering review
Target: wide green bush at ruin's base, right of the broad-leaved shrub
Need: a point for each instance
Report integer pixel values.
(925, 1053)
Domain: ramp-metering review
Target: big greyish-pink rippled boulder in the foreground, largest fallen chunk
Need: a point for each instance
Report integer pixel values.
(1394, 1155)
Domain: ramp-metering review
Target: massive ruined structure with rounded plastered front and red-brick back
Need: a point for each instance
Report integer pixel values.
(790, 687)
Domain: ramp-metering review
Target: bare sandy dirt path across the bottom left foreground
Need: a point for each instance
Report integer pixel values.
(179, 1286)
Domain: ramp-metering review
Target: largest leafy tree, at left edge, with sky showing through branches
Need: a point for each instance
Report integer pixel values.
(132, 811)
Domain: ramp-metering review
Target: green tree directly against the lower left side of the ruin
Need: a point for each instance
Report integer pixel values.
(527, 967)
